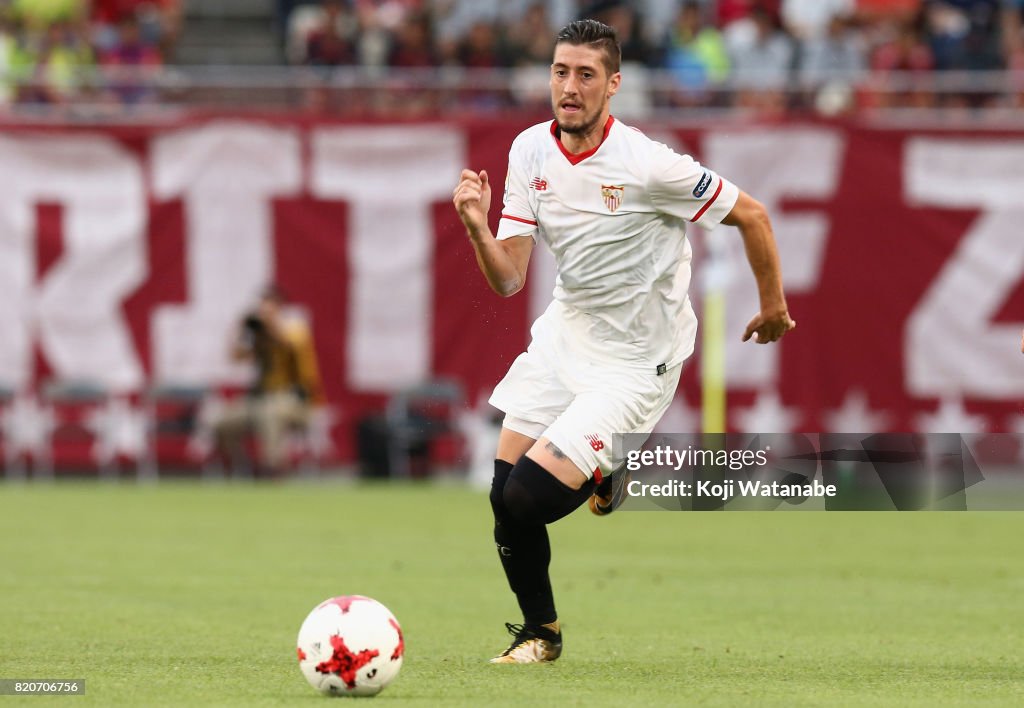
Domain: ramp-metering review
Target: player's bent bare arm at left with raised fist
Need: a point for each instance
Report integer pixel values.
(503, 263)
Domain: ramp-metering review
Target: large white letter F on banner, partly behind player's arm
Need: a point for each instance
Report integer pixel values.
(772, 166)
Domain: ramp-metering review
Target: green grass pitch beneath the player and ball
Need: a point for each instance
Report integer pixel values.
(192, 595)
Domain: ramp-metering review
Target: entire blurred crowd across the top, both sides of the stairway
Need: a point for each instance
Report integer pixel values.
(759, 51)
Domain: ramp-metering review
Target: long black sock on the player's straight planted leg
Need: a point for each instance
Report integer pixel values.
(525, 553)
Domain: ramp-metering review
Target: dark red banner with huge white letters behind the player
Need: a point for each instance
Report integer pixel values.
(131, 253)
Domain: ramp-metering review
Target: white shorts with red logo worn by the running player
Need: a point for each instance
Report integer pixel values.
(581, 405)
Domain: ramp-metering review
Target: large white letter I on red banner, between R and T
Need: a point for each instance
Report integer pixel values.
(228, 175)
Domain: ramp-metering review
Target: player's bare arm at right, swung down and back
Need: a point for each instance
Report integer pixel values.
(751, 218)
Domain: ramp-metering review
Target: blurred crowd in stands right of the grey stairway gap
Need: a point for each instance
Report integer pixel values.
(761, 51)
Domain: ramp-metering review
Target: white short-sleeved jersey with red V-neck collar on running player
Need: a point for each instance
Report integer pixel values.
(616, 220)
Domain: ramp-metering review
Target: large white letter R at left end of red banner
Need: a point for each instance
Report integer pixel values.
(77, 307)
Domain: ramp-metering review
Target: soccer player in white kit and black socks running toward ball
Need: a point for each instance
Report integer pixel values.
(607, 355)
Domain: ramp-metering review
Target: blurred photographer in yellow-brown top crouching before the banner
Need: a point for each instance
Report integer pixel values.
(287, 388)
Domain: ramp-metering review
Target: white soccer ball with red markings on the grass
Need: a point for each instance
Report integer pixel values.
(351, 646)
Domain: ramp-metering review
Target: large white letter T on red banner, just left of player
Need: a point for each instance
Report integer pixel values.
(391, 178)
